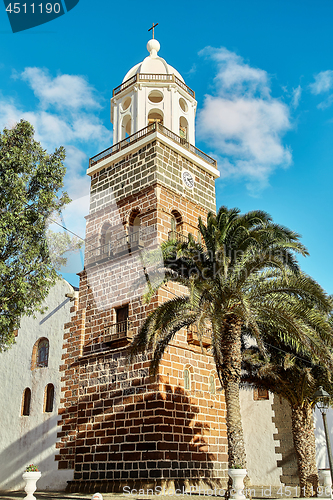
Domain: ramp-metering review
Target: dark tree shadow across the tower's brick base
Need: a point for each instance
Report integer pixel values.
(137, 435)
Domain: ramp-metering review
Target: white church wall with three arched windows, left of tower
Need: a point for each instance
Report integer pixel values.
(31, 439)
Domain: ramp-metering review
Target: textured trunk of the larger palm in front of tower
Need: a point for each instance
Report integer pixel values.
(231, 372)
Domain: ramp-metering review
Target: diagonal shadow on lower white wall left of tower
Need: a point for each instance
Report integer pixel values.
(33, 447)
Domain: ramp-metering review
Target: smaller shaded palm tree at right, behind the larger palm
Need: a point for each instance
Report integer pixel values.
(296, 379)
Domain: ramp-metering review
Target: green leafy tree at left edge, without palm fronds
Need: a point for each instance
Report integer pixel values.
(31, 182)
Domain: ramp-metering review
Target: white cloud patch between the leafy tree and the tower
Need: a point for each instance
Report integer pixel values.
(68, 123)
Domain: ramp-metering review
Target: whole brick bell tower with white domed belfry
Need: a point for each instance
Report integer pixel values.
(121, 428)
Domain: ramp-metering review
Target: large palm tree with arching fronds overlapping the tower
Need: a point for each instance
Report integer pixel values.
(239, 274)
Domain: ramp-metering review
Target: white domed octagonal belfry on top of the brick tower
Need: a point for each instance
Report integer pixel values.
(155, 95)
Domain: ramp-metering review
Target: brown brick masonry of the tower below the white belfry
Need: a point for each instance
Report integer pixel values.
(118, 425)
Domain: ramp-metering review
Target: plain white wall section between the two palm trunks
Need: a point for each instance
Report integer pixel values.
(260, 445)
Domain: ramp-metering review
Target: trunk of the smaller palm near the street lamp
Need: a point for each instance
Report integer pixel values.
(305, 447)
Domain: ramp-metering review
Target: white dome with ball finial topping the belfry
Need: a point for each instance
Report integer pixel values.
(153, 64)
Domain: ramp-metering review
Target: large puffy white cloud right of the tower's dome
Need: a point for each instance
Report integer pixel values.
(242, 122)
